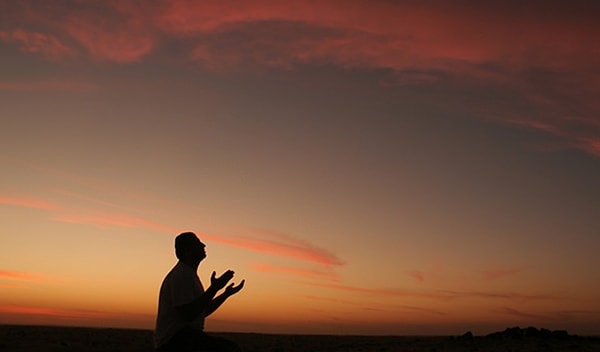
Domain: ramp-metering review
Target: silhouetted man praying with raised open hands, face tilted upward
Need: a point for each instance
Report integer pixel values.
(183, 303)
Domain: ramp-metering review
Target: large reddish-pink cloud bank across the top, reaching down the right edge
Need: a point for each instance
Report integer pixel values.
(472, 45)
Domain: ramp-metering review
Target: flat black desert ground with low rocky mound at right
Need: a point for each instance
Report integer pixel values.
(60, 339)
